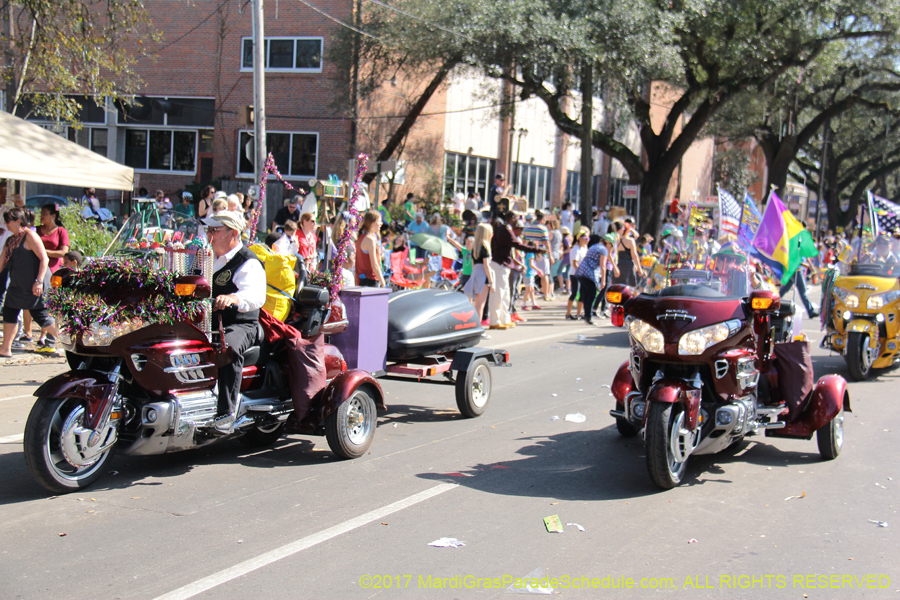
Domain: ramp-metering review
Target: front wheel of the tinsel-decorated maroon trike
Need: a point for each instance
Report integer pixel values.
(56, 448)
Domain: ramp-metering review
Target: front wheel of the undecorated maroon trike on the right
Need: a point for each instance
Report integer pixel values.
(668, 444)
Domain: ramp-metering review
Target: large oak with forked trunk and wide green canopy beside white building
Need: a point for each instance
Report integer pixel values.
(708, 51)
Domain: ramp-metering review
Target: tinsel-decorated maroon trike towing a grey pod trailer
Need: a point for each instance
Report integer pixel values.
(144, 353)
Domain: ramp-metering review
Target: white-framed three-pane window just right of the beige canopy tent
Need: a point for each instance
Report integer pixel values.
(161, 150)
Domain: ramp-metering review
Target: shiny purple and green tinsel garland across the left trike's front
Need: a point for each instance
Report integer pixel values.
(77, 311)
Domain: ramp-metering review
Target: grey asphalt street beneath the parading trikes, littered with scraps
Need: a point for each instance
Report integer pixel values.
(764, 519)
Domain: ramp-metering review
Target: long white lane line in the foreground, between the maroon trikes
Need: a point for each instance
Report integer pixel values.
(207, 583)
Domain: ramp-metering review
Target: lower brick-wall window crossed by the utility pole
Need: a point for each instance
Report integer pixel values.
(295, 154)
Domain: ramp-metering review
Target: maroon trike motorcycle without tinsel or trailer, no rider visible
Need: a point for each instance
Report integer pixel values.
(712, 362)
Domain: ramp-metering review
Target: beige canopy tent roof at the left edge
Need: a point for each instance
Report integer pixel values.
(31, 153)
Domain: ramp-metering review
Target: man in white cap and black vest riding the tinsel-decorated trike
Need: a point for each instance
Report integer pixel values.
(239, 291)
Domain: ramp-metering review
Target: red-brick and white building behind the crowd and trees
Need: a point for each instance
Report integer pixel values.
(184, 128)
